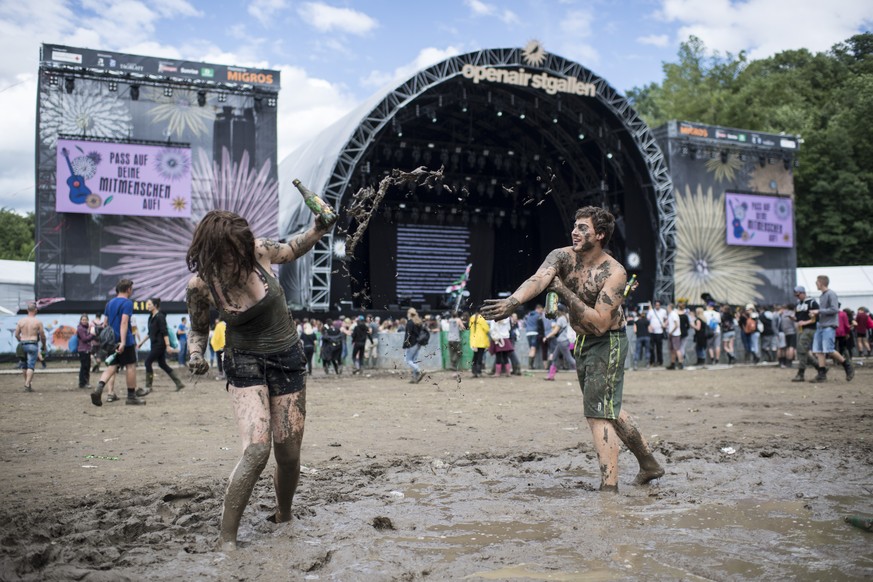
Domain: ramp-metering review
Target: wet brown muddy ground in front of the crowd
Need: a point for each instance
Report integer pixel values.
(489, 479)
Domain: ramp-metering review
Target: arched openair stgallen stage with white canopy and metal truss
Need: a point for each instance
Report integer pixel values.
(525, 136)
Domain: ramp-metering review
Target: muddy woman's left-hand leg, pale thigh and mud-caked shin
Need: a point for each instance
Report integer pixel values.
(252, 412)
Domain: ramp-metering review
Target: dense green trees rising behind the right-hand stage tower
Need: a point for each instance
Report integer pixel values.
(826, 98)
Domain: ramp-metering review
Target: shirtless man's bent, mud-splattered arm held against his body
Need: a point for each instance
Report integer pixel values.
(606, 313)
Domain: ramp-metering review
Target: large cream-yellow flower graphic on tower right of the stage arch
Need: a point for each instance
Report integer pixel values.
(705, 263)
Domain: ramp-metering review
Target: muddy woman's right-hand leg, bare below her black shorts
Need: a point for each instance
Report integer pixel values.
(288, 413)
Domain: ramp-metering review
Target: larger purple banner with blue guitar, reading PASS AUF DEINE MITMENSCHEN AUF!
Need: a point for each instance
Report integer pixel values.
(126, 179)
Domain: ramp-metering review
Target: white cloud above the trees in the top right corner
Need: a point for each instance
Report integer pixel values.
(765, 27)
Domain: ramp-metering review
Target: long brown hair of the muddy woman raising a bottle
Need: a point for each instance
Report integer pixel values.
(223, 249)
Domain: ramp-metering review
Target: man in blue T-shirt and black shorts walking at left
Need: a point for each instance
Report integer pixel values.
(118, 335)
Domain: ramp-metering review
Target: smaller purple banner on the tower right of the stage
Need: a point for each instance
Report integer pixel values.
(759, 221)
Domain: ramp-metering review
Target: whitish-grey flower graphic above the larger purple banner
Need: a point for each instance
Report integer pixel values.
(91, 111)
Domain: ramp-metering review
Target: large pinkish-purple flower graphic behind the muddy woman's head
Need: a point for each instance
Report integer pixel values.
(152, 250)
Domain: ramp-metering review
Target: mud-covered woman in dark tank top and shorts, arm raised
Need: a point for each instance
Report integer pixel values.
(264, 360)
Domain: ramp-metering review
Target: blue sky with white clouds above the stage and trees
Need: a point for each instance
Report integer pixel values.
(333, 55)
